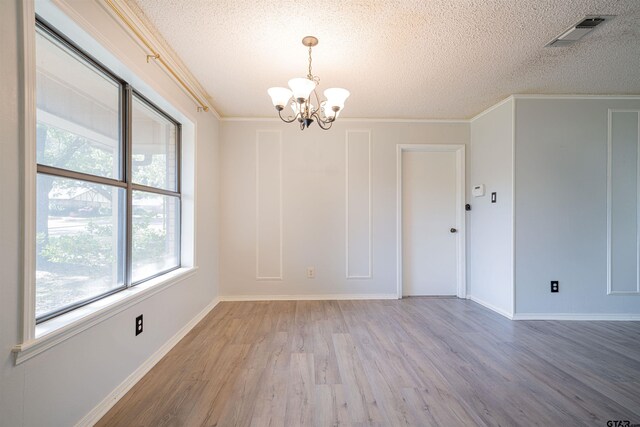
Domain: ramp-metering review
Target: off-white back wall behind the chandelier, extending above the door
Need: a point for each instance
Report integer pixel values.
(314, 205)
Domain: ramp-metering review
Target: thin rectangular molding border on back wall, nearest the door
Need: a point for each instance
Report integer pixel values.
(369, 217)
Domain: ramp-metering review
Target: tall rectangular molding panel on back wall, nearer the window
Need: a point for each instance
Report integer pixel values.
(270, 200)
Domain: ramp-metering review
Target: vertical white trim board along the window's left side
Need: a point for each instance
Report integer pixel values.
(28, 128)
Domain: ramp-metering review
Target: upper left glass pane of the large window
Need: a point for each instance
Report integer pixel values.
(77, 112)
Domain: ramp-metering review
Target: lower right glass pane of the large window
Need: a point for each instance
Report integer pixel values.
(156, 234)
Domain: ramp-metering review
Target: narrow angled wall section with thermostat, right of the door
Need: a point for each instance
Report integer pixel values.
(490, 253)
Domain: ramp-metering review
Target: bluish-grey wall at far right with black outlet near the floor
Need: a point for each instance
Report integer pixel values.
(561, 207)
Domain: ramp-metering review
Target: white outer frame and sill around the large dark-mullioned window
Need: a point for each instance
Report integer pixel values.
(39, 338)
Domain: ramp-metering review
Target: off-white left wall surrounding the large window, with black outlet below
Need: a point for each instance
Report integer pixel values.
(61, 385)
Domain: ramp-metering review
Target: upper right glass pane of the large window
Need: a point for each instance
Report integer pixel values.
(154, 148)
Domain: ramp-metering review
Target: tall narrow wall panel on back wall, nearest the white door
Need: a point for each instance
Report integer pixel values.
(358, 218)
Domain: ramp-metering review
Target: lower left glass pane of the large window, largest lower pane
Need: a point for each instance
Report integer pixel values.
(79, 242)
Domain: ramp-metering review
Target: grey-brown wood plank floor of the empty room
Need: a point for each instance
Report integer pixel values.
(410, 362)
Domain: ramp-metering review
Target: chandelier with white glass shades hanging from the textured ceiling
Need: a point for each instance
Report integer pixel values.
(302, 90)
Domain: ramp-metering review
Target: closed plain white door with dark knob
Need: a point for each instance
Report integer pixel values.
(429, 230)
